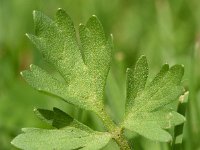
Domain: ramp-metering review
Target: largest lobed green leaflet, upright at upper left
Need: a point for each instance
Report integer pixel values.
(85, 75)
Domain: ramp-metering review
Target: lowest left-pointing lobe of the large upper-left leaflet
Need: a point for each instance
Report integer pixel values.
(44, 82)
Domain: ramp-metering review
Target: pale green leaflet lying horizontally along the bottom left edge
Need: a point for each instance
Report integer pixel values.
(67, 138)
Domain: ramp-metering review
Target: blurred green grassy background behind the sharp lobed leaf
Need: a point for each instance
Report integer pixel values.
(163, 30)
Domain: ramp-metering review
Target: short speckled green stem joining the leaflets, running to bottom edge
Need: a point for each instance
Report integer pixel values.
(117, 133)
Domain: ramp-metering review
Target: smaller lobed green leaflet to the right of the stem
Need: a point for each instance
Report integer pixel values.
(146, 111)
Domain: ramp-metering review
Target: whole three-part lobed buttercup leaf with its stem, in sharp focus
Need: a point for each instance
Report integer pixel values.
(84, 64)
